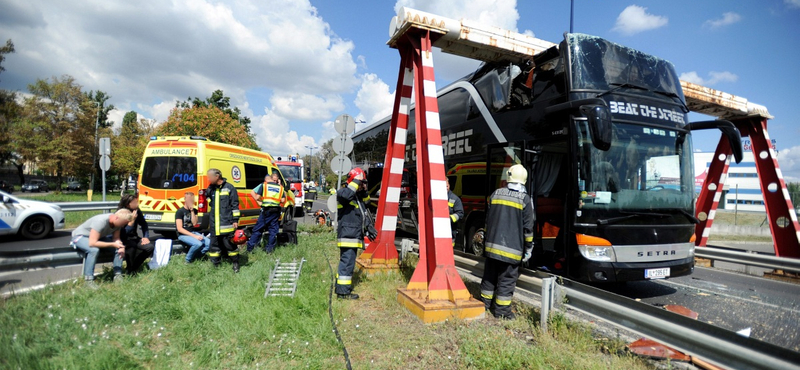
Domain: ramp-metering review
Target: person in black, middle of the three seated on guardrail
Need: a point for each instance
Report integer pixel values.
(137, 249)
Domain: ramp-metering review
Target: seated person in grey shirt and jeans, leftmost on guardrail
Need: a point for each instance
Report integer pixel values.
(92, 235)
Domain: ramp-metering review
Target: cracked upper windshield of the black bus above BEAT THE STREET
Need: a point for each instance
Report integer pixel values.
(597, 64)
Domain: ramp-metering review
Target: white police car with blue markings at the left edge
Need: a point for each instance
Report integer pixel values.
(29, 218)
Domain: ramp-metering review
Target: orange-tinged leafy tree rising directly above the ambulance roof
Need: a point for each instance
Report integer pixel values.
(209, 122)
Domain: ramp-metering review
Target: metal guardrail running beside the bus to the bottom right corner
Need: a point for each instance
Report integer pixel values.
(722, 347)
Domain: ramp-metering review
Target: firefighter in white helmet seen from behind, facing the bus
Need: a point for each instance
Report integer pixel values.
(509, 241)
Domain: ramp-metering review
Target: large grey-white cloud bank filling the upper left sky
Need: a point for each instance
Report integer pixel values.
(150, 52)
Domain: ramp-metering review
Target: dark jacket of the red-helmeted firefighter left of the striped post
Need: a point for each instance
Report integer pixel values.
(352, 216)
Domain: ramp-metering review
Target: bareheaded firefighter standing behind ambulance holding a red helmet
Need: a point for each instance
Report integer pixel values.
(223, 201)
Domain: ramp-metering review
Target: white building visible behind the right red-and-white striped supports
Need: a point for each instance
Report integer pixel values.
(741, 190)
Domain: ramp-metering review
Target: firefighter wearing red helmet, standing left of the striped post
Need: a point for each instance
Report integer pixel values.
(354, 223)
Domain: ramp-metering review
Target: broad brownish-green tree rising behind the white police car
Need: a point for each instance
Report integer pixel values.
(56, 127)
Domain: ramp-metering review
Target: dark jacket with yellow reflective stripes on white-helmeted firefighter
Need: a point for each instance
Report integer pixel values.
(509, 225)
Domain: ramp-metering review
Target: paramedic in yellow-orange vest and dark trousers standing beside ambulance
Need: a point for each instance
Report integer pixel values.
(271, 196)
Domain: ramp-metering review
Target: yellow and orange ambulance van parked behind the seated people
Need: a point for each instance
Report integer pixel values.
(174, 165)
